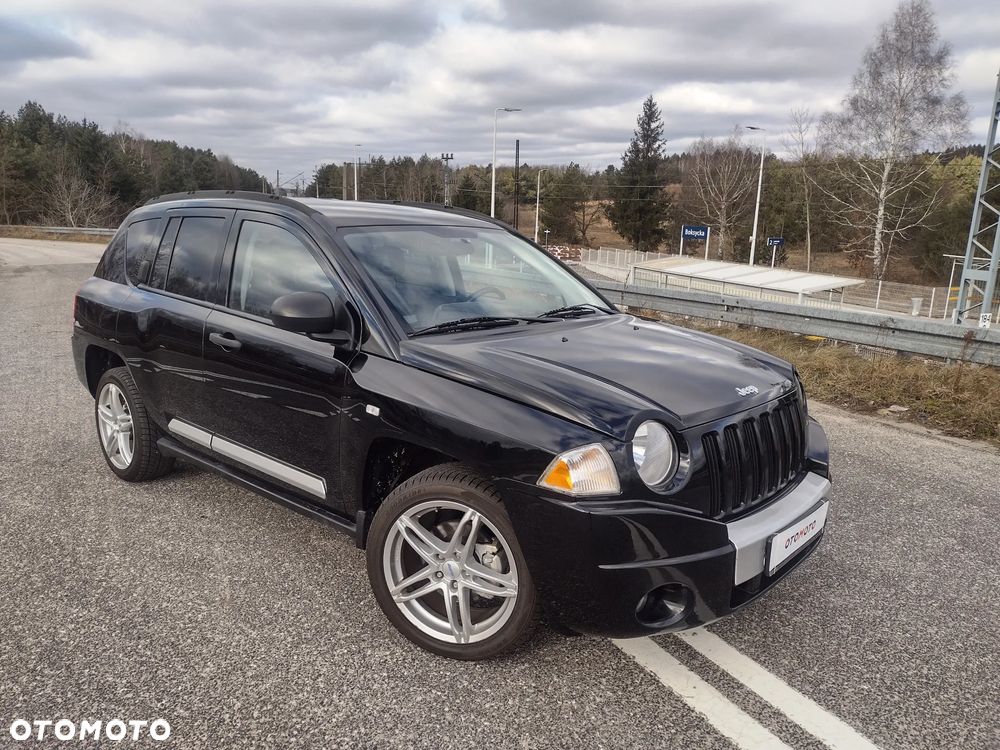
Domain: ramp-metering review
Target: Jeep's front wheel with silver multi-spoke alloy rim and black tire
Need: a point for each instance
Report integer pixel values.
(494, 605)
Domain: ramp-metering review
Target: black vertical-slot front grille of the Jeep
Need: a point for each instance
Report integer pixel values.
(752, 460)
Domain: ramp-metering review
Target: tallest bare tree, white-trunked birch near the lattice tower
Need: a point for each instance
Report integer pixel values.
(899, 106)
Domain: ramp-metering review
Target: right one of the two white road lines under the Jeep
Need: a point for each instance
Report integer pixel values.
(808, 714)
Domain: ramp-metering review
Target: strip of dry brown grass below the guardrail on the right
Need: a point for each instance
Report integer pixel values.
(959, 399)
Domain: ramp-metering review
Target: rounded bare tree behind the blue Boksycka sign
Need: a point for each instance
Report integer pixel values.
(718, 184)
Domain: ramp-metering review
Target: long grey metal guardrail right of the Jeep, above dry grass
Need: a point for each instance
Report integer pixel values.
(900, 333)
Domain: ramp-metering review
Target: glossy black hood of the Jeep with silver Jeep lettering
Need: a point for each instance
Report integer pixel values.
(602, 371)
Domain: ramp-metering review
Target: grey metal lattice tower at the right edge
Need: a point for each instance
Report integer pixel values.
(982, 255)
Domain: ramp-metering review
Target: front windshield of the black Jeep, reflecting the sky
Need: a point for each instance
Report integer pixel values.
(431, 275)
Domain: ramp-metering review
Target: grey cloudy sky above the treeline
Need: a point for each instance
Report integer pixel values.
(287, 85)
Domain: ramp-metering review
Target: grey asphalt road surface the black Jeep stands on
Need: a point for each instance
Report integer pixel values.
(246, 625)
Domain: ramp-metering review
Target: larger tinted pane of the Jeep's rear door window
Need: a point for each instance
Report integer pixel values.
(196, 252)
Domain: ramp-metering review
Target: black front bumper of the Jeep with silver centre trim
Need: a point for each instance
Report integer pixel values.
(599, 566)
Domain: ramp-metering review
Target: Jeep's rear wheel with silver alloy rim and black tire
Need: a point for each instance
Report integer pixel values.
(125, 432)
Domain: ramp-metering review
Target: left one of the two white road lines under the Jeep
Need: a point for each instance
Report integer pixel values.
(728, 718)
